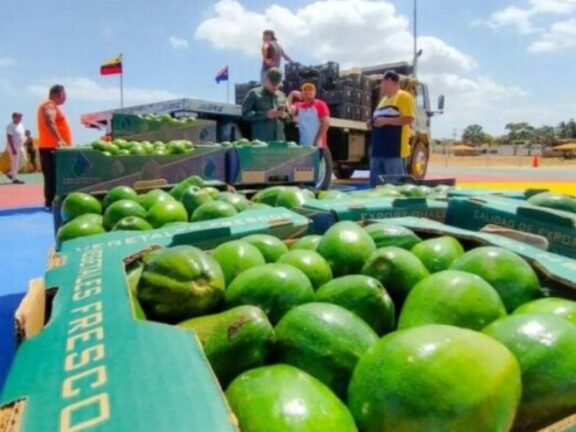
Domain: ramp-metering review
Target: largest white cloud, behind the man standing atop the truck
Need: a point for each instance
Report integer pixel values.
(351, 32)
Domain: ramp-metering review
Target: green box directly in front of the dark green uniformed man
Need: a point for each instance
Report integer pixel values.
(272, 164)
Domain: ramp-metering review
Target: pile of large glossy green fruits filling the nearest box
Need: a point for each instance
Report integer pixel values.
(369, 328)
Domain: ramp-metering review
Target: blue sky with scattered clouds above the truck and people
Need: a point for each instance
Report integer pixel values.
(496, 61)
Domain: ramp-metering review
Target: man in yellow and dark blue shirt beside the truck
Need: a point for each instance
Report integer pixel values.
(391, 130)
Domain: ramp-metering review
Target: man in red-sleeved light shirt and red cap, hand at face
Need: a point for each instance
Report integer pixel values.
(313, 116)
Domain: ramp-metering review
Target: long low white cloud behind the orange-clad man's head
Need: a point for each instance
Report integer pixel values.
(87, 90)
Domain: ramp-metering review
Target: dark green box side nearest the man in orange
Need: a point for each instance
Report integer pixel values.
(89, 170)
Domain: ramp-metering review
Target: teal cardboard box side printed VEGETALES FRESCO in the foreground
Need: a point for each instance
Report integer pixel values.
(87, 362)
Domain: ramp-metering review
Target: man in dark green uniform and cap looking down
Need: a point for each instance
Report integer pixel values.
(265, 108)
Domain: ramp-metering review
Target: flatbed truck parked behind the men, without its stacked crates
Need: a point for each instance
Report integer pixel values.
(348, 140)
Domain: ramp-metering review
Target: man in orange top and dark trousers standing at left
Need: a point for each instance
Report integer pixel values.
(53, 133)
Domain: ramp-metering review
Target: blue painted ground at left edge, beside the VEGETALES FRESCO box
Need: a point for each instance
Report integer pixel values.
(26, 236)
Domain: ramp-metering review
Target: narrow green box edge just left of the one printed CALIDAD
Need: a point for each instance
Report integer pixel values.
(324, 213)
